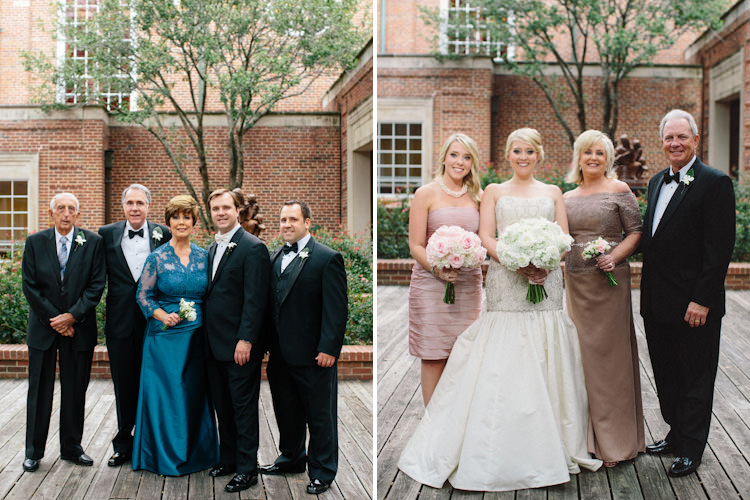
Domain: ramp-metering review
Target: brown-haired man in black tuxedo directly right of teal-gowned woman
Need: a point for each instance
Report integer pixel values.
(234, 307)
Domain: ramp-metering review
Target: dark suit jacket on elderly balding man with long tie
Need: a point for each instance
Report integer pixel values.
(48, 295)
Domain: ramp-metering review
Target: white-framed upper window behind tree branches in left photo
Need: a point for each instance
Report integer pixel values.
(76, 14)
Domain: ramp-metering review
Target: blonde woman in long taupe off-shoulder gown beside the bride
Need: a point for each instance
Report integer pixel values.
(602, 206)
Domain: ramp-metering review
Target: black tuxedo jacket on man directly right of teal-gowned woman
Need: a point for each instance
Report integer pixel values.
(237, 297)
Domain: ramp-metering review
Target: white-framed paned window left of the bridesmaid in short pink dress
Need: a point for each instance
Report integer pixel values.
(400, 149)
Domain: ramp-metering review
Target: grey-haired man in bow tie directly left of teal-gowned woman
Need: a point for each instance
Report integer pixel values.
(127, 244)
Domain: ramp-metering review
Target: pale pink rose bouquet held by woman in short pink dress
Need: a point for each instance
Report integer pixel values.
(452, 246)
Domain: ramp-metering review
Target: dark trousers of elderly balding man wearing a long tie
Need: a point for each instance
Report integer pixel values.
(75, 371)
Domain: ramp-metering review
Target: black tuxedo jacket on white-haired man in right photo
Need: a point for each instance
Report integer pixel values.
(687, 257)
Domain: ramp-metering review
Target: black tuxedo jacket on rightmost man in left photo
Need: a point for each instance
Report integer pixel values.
(310, 306)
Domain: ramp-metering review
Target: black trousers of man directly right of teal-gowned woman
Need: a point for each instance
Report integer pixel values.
(235, 390)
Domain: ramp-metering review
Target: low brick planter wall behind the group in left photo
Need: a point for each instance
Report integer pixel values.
(355, 362)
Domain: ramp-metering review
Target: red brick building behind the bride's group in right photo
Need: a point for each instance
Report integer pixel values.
(427, 100)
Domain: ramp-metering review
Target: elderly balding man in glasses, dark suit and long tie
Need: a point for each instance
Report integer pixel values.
(63, 280)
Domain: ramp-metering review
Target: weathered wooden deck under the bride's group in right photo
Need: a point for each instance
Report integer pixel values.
(724, 473)
